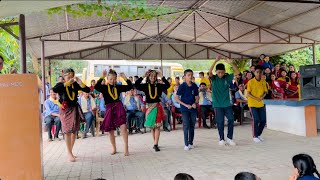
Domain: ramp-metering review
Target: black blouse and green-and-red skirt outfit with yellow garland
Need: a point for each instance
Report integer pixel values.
(155, 113)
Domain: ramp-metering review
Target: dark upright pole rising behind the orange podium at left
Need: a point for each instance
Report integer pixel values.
(22, 37)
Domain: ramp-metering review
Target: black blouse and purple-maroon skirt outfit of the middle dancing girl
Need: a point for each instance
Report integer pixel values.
(115, 115)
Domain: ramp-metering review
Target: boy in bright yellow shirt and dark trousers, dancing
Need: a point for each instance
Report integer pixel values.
(257, 90)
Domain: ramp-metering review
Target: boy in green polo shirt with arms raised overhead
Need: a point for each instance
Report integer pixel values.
(221, 99)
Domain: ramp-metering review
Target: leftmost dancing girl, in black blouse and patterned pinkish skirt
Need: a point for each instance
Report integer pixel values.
(70, 112)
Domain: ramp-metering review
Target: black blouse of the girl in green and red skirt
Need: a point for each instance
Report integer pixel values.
(145, 88)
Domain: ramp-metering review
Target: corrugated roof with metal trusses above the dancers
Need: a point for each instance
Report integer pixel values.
(203, 28)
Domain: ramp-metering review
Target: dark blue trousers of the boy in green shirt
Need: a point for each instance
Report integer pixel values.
(220, 114)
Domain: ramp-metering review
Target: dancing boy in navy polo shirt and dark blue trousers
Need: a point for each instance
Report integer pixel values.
(188, 98)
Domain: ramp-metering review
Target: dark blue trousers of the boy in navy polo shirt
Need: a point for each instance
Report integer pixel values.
(189, 121)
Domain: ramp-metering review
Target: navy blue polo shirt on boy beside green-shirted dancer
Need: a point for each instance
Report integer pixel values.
(187, 95)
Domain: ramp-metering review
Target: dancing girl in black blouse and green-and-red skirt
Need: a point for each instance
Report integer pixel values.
(155, 113)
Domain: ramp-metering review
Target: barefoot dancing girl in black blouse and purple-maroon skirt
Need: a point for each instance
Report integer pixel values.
(115, 116)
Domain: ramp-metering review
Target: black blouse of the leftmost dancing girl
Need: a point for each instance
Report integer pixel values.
(62, 91)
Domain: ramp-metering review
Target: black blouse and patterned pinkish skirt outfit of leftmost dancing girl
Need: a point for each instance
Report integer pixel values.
(70, 112)
